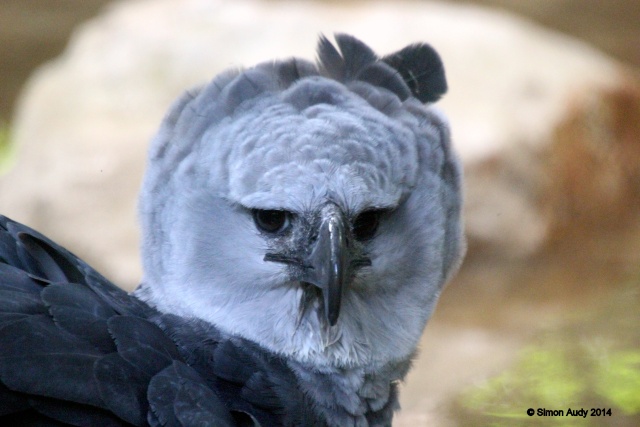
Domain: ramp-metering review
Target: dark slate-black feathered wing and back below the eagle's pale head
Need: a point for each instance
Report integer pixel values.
(77, 350)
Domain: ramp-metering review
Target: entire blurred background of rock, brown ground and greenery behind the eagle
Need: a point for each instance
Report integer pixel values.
(544, 104)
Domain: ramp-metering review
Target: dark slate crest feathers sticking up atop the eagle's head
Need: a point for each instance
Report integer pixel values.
(415, 70)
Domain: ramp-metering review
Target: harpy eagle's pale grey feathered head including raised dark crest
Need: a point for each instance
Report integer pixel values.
(311, 208)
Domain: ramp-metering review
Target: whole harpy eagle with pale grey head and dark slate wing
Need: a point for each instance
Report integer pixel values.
(299, 221)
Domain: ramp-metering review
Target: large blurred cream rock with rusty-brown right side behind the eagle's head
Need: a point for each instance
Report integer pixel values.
(548, 128)
